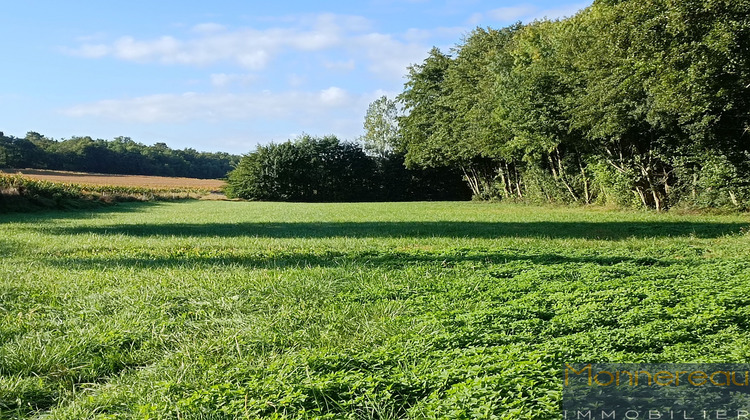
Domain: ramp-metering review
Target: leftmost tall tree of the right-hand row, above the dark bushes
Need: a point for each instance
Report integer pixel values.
(448, 103)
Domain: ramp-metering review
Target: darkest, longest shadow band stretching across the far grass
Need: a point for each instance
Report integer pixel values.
(446, 229)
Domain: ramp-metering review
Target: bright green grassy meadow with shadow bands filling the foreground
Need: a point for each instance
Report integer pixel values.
(212, 310)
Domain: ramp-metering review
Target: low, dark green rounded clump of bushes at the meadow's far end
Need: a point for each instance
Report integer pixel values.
(326, 169)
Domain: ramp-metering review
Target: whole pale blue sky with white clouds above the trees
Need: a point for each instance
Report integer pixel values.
(223, 75)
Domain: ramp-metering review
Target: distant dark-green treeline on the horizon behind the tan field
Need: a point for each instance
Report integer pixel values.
(119, 156)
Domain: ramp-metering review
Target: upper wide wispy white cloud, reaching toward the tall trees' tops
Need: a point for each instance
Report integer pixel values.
(386, 55)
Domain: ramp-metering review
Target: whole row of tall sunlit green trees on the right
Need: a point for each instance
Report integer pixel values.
(634, 102)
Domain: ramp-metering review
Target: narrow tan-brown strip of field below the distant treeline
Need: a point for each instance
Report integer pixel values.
(84, 178)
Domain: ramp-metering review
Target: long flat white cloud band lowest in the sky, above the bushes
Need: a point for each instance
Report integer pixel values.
(213, 107)
